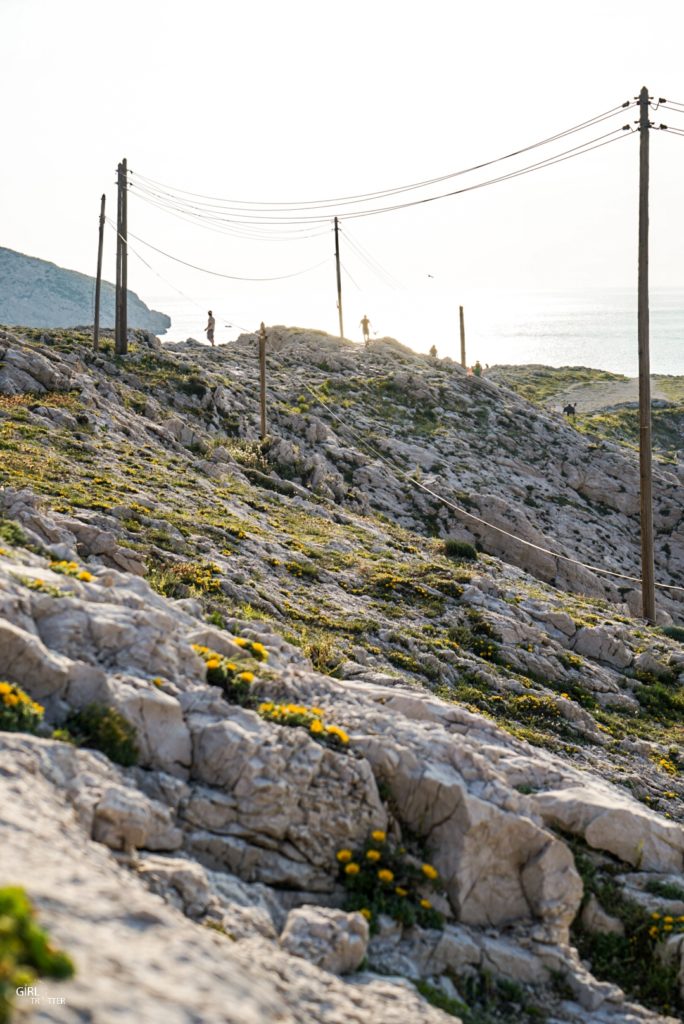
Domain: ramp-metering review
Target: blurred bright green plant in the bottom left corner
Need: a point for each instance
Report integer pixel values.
(26, 951)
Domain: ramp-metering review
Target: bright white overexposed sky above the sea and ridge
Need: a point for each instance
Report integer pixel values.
(266, 102)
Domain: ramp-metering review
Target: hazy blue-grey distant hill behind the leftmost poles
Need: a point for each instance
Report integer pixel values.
(35, 293)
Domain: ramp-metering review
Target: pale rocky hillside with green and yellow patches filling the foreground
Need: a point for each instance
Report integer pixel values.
(311, 741)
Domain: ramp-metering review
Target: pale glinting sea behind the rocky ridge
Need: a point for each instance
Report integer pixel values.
(592, 327)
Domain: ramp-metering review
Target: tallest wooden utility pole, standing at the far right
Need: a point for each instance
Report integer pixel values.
(648, 569)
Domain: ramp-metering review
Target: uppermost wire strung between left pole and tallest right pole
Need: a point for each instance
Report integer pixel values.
(368, 197)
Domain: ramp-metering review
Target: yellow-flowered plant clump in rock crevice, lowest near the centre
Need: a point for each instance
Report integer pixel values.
(382, 878)
